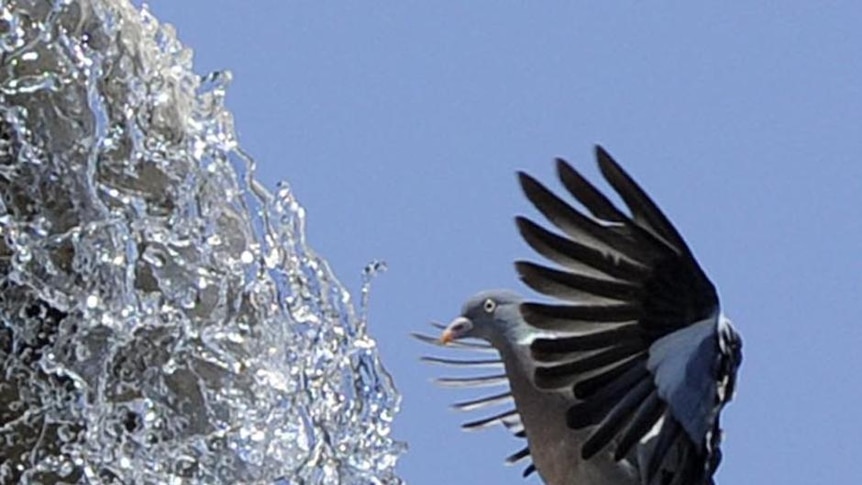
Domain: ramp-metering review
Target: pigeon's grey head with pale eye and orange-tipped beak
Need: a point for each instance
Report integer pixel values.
(493, 316)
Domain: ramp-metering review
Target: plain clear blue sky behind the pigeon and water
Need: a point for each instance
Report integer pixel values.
(400, 126)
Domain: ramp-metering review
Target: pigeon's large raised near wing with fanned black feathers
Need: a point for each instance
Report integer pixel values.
(639, 336)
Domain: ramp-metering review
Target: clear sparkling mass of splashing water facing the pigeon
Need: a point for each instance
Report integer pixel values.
(162, 319)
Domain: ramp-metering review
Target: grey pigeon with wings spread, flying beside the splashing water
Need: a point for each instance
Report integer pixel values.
(622, 377)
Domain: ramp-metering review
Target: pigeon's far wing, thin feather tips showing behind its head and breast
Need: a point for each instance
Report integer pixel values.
(499, 399)
